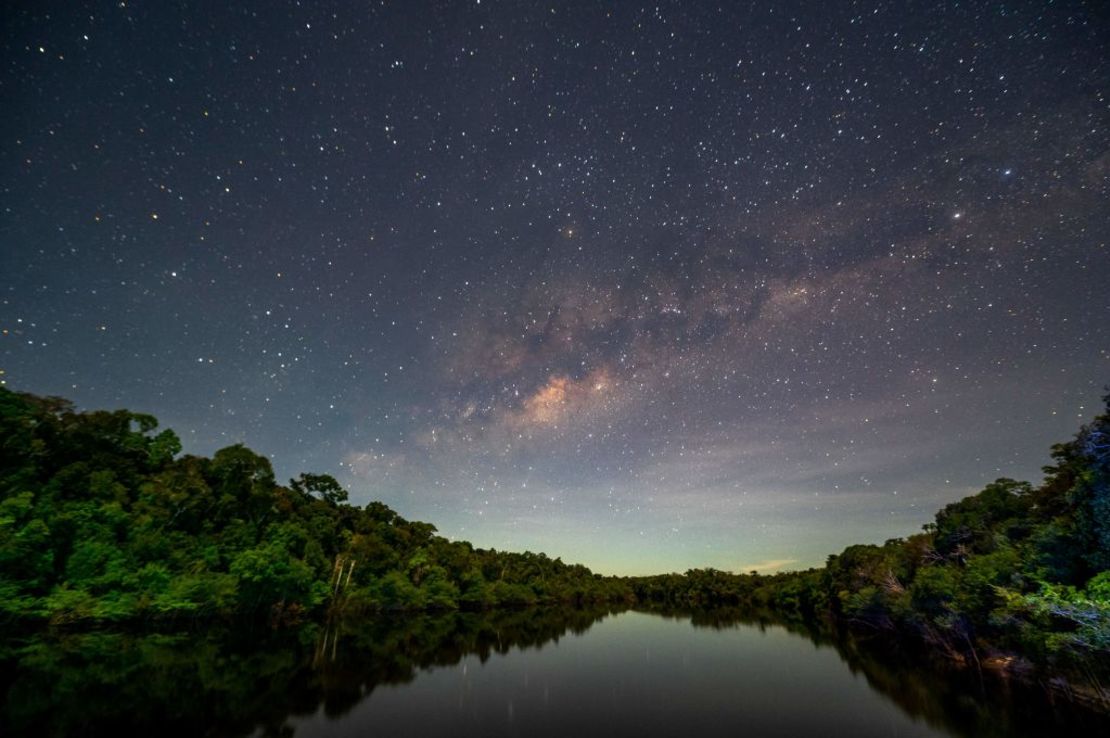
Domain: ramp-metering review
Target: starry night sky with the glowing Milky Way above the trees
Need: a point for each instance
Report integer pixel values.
(643, 287)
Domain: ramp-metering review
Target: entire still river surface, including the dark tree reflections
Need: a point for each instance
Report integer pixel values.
(523, 673)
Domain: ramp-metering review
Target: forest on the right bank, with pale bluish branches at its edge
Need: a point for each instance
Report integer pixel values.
(1013, 570)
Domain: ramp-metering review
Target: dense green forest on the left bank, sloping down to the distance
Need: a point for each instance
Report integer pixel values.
(102, 520)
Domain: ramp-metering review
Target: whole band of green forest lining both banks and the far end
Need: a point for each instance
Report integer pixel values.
(103, 520)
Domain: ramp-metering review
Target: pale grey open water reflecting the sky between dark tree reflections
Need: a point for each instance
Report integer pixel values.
(637, 675)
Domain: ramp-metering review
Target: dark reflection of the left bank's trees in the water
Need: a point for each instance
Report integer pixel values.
(234, 682)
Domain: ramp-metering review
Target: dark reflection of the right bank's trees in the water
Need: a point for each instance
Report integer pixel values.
(962, 702)
